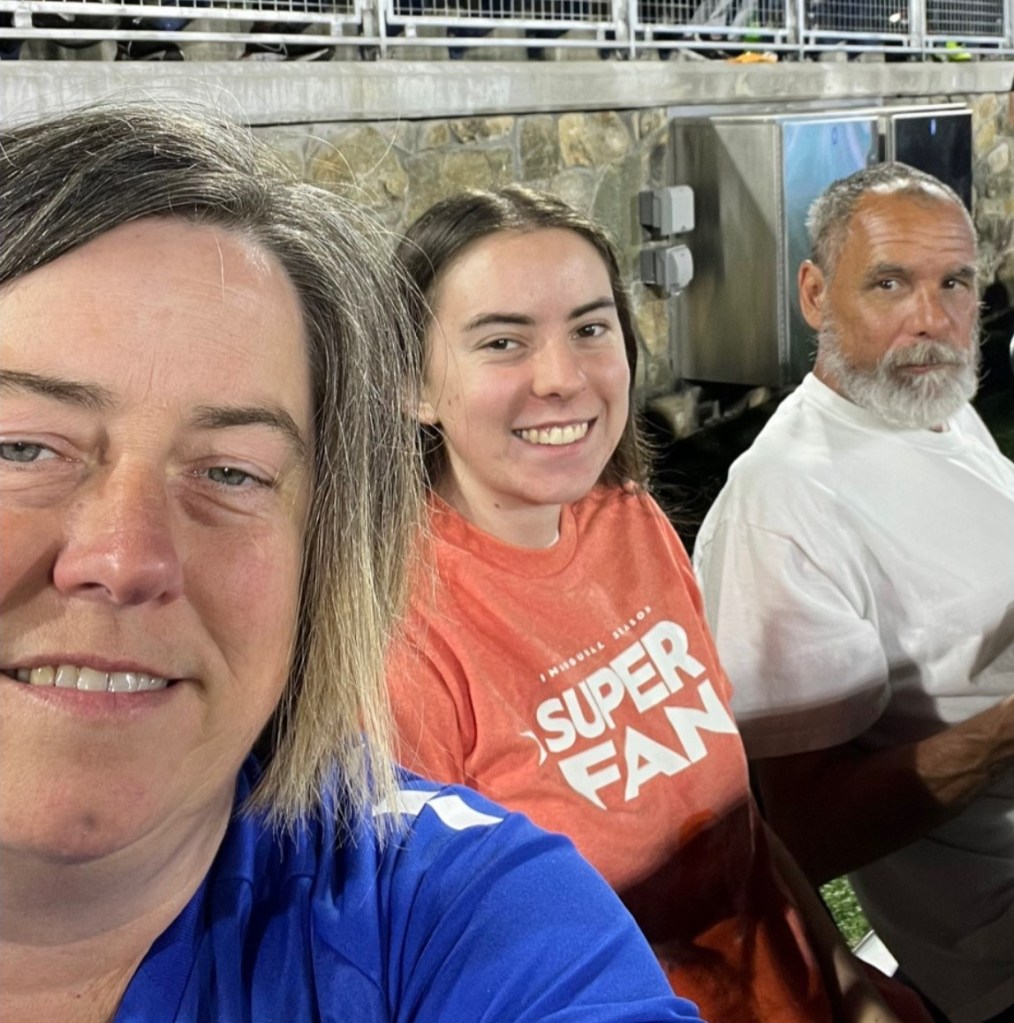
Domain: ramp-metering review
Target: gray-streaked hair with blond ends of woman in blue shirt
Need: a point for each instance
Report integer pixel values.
(67, 182)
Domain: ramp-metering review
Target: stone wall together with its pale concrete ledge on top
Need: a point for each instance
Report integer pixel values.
(401, 136)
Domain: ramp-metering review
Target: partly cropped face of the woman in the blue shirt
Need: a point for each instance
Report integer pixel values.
(155, 447)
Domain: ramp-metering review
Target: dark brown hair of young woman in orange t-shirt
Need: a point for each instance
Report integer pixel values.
(444, 234)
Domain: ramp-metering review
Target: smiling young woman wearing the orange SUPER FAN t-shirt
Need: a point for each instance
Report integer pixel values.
(557, 659)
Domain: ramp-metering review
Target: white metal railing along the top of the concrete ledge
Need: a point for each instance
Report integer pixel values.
(953, 29)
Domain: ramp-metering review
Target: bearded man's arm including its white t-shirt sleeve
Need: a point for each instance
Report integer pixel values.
(810, 671)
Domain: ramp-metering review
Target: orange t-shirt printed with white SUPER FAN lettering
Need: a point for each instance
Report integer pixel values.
(581, 686)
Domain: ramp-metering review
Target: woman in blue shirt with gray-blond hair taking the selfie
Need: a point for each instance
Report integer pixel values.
(206, 507)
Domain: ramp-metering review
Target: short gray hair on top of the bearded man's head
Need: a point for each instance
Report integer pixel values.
(831, 213)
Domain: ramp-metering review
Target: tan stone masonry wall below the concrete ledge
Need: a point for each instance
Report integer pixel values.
(599, 161)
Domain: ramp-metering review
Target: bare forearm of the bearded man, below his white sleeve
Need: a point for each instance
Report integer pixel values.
(873, 803)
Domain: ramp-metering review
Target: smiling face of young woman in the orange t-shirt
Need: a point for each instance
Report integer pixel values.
(526, 378)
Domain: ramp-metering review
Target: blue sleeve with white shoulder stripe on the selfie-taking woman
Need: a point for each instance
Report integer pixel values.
(508, 924)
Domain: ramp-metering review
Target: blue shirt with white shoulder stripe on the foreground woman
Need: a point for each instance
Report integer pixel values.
(471, 914)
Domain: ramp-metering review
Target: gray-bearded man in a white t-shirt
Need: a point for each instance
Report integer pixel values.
(859, 575)
